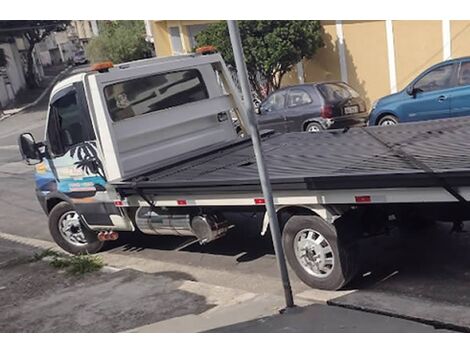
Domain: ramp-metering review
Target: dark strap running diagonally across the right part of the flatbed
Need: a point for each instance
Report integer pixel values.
(419, 164)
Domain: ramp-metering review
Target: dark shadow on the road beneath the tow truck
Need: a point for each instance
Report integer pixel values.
(427, 263)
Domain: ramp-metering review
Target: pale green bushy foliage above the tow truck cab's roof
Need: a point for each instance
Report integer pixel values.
(119, 41)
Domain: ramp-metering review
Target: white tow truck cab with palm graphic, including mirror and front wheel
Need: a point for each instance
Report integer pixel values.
(117, 122)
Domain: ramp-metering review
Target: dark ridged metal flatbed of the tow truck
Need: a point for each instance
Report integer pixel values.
(426, 154)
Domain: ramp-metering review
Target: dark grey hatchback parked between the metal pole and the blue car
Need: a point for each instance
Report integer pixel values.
(312, 107)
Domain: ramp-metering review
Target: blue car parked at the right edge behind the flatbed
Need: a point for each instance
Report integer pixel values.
(441, 91)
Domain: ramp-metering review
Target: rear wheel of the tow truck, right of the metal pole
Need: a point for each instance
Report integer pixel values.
(338, 258)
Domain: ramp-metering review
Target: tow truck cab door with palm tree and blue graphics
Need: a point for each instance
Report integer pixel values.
(71, 165)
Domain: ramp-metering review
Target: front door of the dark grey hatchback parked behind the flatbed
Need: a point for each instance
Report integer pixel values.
(272, 112)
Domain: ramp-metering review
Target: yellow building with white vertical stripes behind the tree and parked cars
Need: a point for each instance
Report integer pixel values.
(375, 57)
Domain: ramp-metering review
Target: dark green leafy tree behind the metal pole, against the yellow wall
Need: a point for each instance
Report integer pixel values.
(271, 48)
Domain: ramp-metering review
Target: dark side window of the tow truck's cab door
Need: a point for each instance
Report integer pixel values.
(65, 127)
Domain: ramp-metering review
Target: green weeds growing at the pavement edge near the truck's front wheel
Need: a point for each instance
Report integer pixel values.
(77, 265)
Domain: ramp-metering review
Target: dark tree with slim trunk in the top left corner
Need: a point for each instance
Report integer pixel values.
(34, 31)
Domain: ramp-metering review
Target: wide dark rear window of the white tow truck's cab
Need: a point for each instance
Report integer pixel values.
(153, 93)
